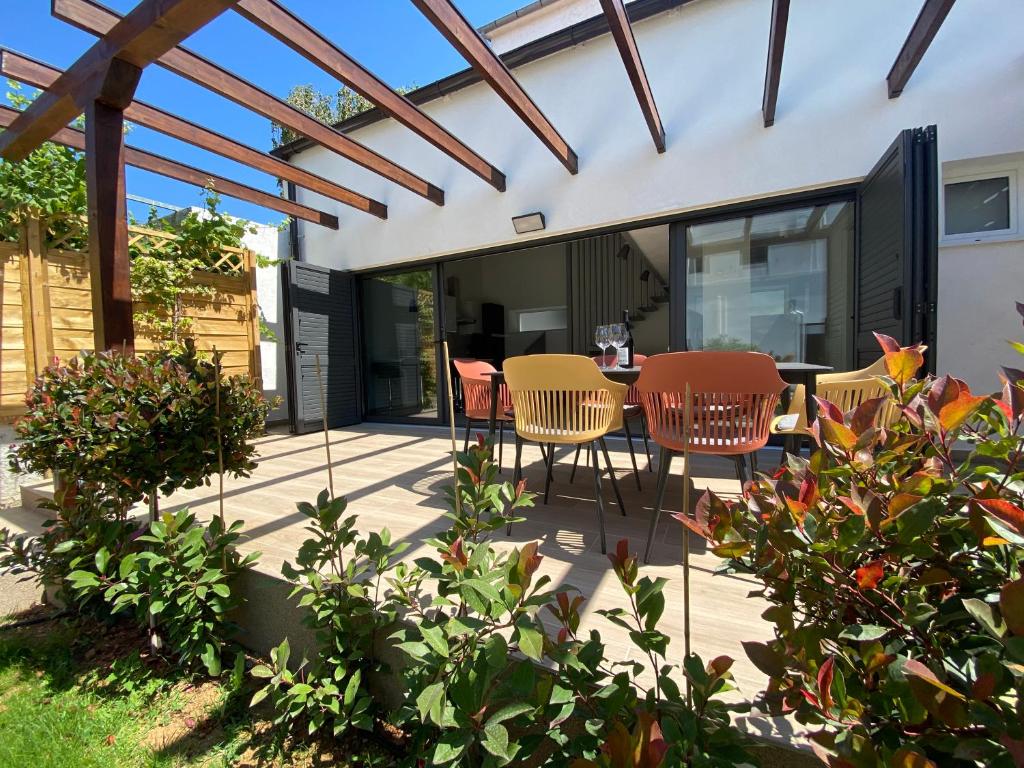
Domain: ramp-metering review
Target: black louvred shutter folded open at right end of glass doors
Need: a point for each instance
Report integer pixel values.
(898, 247)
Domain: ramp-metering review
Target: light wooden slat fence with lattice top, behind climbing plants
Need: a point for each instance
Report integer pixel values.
(47, 306)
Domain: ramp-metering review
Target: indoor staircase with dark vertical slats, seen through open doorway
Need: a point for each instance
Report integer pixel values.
(610, 276)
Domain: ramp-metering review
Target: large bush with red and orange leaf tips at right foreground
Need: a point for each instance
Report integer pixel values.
(893, 569)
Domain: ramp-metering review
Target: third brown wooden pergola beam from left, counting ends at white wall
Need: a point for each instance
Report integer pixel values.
(98, 20)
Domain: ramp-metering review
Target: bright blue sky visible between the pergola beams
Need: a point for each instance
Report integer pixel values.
(390, 37)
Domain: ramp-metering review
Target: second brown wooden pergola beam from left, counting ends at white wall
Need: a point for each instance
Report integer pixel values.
(39, 75)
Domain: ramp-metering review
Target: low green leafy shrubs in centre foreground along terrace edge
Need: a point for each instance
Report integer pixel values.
(487, 684)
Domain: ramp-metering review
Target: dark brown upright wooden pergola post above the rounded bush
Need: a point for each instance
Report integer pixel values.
(105, 163)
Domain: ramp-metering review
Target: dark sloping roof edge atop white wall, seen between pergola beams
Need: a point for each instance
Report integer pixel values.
(532, 52)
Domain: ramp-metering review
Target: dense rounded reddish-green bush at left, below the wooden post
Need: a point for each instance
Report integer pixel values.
(126, 425)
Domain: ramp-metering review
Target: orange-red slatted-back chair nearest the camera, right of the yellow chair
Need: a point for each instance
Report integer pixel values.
(733, 396)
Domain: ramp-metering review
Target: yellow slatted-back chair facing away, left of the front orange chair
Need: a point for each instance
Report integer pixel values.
(565, 400)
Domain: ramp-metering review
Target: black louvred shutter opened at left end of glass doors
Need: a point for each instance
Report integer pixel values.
(324, 323)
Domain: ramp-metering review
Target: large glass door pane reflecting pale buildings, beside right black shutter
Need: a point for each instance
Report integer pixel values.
(780, 283)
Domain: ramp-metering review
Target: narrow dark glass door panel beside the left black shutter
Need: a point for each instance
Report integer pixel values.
(400, 326)
